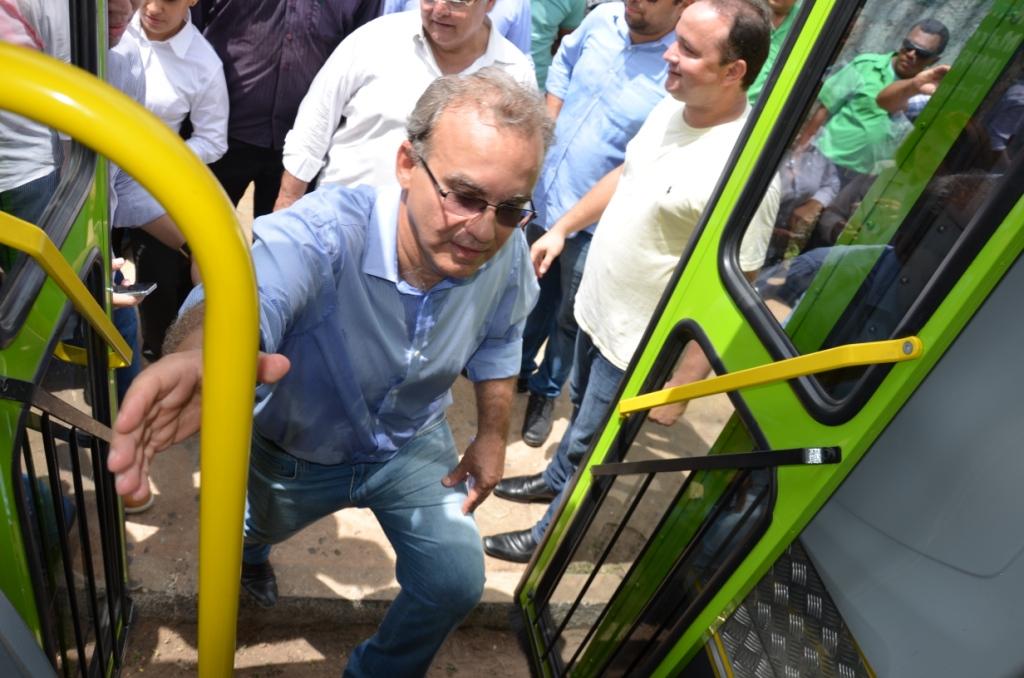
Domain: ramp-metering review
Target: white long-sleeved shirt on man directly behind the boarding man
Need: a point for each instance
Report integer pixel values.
(356, 110)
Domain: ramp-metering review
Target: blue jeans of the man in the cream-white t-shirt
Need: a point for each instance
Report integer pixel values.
(594, 386)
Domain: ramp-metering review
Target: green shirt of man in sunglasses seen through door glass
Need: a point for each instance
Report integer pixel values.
(859, 134)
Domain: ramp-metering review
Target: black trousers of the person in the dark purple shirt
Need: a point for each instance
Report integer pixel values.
(245, 164)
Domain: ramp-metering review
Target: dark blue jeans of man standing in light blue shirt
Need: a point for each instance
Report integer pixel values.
(553, 320)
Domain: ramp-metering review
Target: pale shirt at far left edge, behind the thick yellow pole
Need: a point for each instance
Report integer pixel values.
(27, 148)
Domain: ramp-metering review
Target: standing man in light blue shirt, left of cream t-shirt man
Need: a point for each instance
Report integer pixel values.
(607, 77)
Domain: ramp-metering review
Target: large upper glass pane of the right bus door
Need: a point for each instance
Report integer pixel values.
(873, 222)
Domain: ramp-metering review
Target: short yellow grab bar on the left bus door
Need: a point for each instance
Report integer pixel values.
(33, 241)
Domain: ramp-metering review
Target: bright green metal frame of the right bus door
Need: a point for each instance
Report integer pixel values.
(780, 413)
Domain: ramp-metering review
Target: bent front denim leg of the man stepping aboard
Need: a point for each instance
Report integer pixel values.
(440, 557)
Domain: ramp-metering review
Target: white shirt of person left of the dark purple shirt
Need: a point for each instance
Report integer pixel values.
(185, 77)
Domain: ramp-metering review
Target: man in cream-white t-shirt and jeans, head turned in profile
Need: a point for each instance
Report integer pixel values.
(649, 208)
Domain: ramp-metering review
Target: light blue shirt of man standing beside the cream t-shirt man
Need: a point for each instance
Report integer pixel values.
(608, 86)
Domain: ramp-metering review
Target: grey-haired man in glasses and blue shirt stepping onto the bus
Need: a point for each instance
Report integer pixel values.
(372, 304)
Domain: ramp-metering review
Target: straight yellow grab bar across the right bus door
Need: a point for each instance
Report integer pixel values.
(873, 353)
